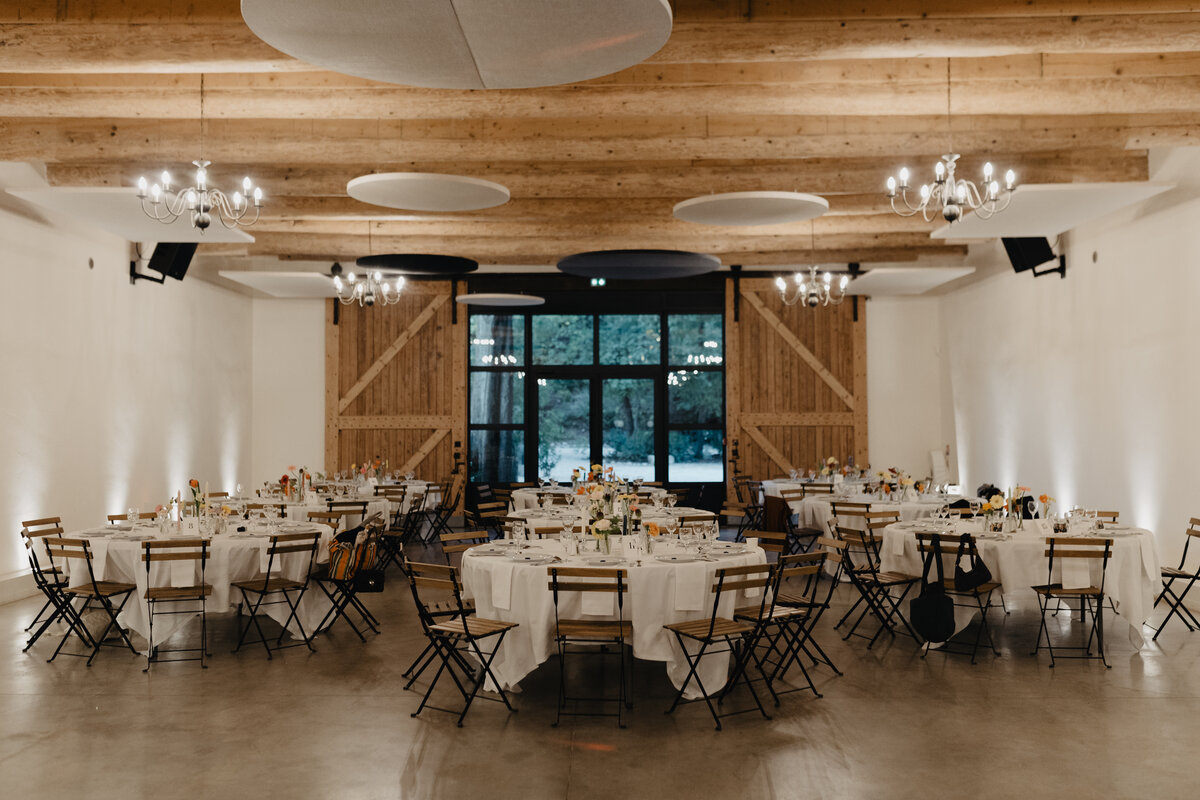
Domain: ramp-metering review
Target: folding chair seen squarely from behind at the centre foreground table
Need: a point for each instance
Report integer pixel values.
(593, 637)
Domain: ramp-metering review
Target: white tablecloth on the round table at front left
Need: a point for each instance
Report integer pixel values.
(232, 557)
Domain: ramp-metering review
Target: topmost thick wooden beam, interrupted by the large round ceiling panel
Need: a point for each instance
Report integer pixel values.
(214, 46)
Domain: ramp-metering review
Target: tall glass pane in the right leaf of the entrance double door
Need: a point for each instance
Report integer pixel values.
(629, 426)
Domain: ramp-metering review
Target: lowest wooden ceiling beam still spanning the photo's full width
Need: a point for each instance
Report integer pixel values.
(286, 142)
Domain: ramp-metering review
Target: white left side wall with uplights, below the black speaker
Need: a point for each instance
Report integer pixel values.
(113, 395)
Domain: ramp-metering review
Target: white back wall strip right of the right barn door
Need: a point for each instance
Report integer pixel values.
(907, 386)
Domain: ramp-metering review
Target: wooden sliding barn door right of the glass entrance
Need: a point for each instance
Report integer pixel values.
(796, 381)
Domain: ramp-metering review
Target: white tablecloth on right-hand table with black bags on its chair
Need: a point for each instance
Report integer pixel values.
(1018, 562)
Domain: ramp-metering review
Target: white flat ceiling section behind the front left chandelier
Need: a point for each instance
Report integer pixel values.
(119, 212)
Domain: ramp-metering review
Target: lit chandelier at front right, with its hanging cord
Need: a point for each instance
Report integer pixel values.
(949, 195)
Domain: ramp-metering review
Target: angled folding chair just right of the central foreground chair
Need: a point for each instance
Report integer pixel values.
(718, 634)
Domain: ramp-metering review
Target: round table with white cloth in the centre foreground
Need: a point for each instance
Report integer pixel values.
(670, 585)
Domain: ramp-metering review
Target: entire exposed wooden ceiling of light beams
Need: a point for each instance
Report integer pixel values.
(809, 95)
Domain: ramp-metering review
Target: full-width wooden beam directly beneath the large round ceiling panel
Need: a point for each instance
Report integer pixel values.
(387, 106)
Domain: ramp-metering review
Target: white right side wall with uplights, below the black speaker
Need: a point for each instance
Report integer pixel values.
(1087, 387)
